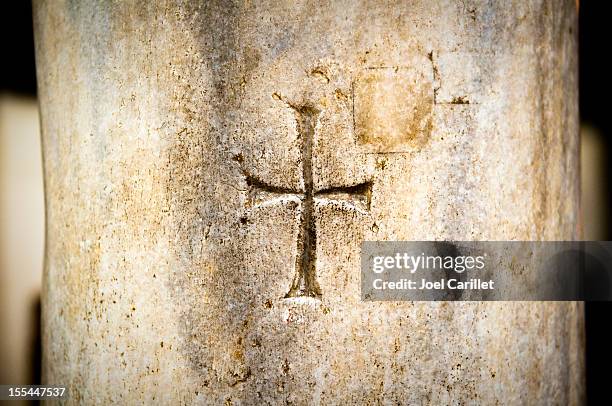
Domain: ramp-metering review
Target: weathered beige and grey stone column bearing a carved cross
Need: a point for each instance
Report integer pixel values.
(211, 169)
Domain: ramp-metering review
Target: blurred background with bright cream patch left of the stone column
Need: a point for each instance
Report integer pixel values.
(21, 200)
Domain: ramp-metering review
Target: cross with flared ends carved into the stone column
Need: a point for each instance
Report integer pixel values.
(354, 197)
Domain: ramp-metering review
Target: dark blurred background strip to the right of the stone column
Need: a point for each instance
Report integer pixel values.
(596, 119)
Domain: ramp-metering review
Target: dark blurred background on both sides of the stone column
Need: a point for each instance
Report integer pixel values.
(22, 214)
